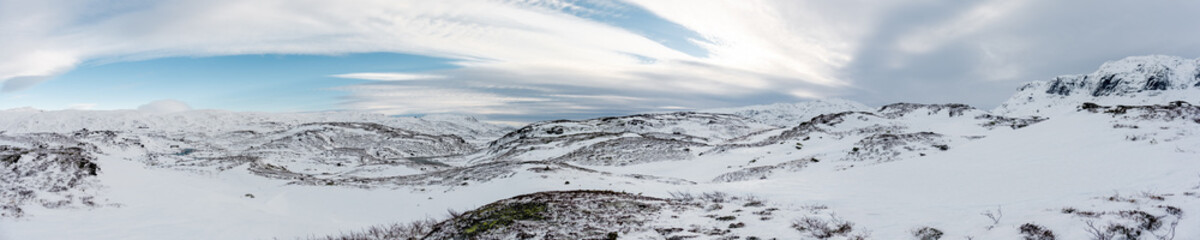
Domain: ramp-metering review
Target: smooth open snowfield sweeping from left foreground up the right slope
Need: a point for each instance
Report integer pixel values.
(1029, 173)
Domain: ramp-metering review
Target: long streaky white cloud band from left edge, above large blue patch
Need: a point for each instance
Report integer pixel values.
(514, 44)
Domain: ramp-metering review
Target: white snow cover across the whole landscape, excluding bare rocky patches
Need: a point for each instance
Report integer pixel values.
(1076, 160)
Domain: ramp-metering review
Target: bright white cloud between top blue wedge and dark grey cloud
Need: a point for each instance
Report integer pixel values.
(796, 40)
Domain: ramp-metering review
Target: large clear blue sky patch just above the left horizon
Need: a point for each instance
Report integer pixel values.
(268, 83)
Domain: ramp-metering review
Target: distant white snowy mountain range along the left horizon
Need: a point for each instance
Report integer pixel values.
(23, 121)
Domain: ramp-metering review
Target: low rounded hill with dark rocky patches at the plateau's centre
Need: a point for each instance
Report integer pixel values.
(622, 140)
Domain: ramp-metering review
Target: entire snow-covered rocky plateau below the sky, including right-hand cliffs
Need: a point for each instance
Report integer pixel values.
(1114, 154)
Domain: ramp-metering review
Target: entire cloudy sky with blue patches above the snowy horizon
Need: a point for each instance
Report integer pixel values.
(527, 61)
